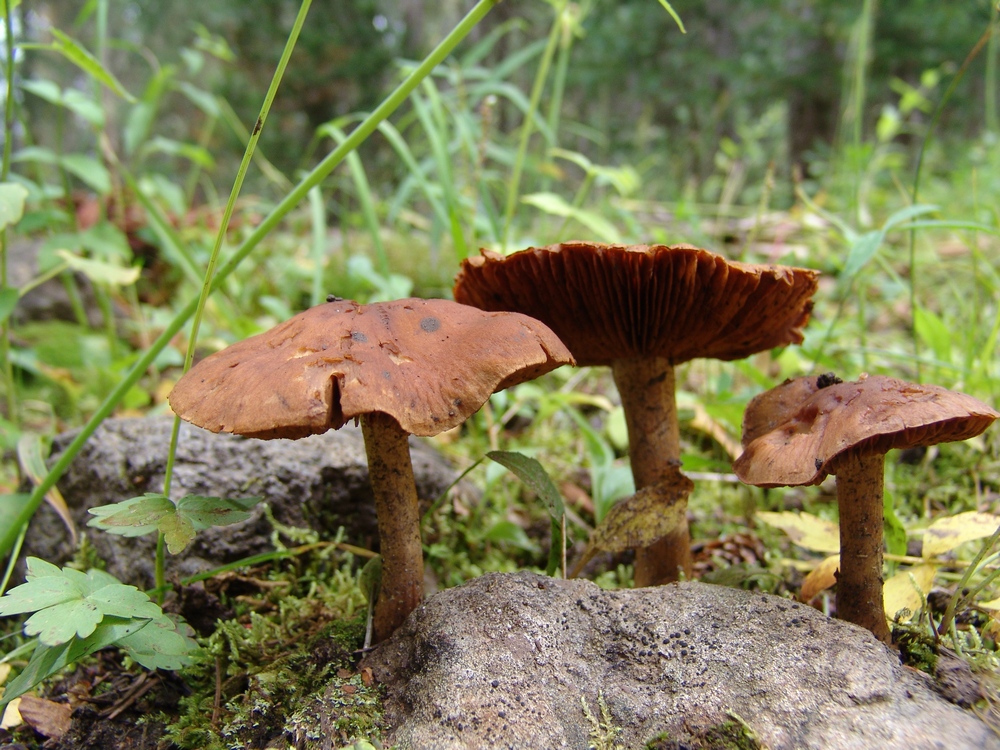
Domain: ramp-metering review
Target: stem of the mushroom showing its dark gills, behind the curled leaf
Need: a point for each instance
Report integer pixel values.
(646, 386)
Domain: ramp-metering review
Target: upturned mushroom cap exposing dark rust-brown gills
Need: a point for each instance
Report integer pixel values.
(609, 302)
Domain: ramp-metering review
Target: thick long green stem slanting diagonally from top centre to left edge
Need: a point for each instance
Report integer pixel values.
(315, 177)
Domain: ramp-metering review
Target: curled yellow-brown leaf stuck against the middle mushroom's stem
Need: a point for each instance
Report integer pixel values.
(638, 521)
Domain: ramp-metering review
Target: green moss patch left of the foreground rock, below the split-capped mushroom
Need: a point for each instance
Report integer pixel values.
(285, 669)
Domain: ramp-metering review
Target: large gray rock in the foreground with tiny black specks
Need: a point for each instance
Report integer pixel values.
(505, 660)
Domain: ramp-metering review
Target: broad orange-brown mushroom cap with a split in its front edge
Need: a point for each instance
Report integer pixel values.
(430, 364)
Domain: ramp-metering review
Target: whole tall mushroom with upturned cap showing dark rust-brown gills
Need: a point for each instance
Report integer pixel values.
(643, 309)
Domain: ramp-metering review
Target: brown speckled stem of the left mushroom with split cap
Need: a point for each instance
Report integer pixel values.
(396, 507)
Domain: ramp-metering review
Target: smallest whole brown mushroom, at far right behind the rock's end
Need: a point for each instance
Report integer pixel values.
(801, 431)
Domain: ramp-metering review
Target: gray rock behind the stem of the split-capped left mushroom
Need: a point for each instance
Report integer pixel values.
(320, 482)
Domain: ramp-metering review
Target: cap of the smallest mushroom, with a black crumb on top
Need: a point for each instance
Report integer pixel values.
(871, 415)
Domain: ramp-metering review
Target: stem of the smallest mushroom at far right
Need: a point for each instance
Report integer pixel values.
(859, 581)
